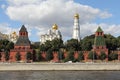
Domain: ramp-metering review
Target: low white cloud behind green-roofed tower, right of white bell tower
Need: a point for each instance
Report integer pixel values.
(90, 28)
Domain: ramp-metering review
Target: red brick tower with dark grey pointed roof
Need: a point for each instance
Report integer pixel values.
(22, 46)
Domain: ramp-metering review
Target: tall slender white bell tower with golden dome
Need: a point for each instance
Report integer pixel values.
(76, 27)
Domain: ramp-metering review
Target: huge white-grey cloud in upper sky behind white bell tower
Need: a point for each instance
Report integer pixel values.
(42, 14)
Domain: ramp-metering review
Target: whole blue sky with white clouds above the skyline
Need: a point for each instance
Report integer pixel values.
(39, 15)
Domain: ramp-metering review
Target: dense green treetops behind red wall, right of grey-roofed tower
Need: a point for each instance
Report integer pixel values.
(85, 44)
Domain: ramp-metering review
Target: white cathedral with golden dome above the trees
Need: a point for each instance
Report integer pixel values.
(52, 34)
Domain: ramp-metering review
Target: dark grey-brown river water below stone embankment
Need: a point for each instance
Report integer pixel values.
(59, 75)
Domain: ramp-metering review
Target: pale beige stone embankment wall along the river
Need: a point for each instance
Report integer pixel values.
(59, 66)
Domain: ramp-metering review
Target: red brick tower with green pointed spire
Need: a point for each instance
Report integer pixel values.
(99, 43)
